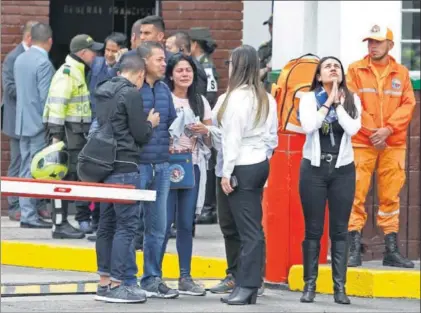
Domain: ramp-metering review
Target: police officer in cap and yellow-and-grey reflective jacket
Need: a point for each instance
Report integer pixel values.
(67, 116)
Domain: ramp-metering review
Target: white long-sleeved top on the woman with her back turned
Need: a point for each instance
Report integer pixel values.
(242, 142)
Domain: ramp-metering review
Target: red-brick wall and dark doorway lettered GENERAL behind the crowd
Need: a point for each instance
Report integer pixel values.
(100, 17)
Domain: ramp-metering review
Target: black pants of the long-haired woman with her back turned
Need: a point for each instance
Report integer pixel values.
(240, 219)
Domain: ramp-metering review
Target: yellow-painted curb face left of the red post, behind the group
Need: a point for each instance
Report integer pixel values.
(81, 259)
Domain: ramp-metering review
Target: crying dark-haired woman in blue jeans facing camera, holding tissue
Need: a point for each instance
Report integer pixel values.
(181, 76)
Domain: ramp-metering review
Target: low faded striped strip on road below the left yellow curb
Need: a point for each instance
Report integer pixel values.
(71, 288)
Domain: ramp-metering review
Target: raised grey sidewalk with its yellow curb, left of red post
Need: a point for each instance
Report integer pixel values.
(36, 248)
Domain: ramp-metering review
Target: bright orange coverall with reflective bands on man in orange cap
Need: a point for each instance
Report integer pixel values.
(388, 100)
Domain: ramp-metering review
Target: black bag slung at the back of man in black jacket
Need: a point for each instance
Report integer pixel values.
(96, 159)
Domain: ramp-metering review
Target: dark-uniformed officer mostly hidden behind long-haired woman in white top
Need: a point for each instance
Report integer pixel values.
(202, 46)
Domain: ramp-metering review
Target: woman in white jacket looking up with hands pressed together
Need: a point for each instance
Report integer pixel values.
(330, 115)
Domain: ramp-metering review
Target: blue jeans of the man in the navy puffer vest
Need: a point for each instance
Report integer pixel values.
(152, 177)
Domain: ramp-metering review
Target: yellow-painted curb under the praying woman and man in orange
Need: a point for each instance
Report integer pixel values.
(364, 282)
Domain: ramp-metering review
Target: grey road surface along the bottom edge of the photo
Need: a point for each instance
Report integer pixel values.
(272, 301)
